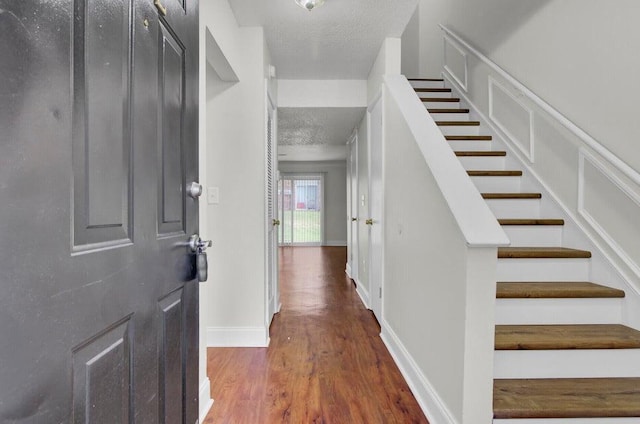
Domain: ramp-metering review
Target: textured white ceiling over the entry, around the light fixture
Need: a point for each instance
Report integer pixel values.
(339, 40)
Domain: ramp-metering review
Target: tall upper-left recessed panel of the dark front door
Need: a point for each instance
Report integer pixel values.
(101, 129)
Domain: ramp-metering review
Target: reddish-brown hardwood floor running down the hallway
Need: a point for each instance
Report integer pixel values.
(326, 362)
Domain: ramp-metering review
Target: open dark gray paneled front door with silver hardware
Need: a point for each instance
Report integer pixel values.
(98, 139)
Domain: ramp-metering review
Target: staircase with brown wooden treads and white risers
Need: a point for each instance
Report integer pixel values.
(561, 354)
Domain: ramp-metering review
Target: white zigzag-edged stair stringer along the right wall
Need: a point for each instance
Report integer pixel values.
(603, 267)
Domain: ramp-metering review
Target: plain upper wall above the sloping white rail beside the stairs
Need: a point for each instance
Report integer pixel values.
(587, 70)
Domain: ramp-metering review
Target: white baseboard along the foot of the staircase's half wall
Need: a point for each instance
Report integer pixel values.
(427, 397)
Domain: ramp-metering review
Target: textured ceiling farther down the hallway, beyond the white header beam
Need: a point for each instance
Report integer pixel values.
(316, 133)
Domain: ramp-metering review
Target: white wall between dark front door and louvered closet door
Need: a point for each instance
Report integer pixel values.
(233, 300)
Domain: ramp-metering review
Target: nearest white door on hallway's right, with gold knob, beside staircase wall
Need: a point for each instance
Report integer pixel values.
(376, 193)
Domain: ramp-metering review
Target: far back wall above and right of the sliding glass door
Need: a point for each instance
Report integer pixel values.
(335, 195)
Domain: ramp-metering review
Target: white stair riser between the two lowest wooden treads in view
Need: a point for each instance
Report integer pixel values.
(568, 363)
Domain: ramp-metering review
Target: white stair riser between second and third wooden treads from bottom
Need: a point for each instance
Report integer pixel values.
(558, 311)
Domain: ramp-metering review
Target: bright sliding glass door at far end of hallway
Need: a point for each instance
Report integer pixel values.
(301, 210)
